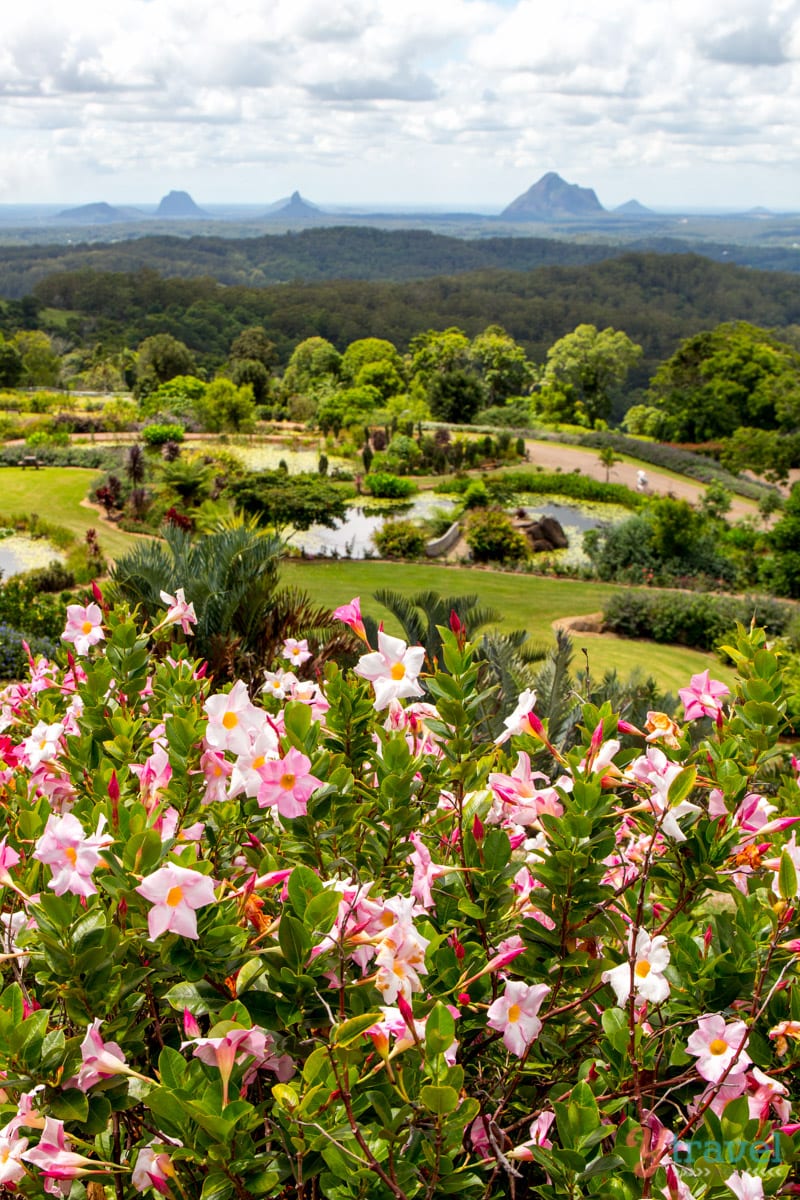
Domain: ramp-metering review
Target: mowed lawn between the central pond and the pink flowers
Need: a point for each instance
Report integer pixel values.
(526, 602)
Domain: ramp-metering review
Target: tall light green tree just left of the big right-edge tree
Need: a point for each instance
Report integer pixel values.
(594, 364)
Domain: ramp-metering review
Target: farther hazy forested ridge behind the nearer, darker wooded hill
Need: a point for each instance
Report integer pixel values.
(344, 253)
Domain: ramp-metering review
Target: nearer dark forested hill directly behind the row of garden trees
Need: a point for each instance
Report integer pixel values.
(657, 299)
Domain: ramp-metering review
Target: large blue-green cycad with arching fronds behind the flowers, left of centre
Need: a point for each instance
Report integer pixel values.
(231, 575)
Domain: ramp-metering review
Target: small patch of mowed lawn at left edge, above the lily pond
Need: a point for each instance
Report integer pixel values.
(56, 494)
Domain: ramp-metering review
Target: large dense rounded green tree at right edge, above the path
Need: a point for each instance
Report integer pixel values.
(721, 380)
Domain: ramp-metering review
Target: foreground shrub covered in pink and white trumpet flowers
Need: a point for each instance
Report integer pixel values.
(333, 941)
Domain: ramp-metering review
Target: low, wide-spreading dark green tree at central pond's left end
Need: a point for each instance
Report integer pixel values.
(288, 502)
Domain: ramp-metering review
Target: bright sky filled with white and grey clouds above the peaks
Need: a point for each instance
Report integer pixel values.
(461, 104)
